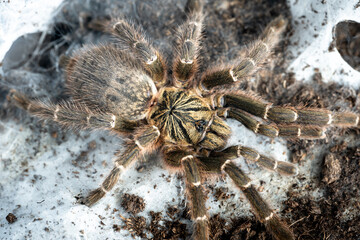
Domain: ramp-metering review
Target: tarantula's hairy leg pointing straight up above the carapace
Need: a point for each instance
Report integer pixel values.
(185, 63)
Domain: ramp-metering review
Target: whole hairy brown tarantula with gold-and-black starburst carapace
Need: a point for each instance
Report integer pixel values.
(129, 92)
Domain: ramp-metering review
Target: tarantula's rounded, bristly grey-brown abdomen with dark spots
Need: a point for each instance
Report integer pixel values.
(105, 78)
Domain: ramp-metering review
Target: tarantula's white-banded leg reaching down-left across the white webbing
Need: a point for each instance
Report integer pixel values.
(146, 138)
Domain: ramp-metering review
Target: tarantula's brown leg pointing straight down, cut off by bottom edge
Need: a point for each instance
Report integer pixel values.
(196, 198)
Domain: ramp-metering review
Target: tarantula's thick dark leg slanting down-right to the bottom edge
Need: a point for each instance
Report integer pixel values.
(261, 209)
